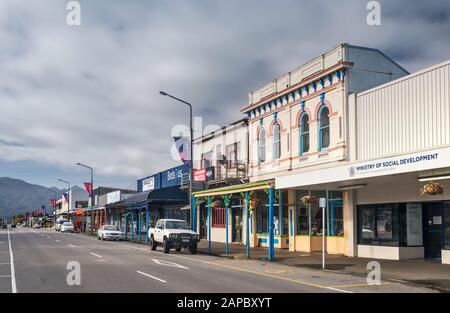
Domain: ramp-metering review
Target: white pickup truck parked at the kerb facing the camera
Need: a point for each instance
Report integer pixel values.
(170, 233)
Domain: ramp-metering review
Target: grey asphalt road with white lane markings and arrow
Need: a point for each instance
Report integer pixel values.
(36, 261)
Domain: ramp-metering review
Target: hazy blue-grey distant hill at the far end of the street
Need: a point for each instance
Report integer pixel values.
(18, 196)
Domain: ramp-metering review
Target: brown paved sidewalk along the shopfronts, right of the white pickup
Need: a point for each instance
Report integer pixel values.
(427, 273)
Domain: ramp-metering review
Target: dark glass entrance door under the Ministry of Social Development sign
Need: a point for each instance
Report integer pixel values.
(433, 231)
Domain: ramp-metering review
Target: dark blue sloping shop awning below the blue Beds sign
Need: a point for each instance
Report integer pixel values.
(164, 195)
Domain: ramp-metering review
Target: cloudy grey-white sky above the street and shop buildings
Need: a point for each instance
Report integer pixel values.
(90, 93)
